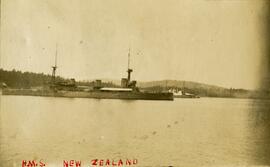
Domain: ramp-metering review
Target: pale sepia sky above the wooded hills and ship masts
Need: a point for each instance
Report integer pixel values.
(213, 42)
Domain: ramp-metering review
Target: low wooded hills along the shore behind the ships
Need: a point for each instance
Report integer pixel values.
(17, 79)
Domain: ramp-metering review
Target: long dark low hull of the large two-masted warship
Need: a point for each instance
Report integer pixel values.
(92, 94)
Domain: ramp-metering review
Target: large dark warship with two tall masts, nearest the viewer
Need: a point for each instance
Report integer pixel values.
(128, 89)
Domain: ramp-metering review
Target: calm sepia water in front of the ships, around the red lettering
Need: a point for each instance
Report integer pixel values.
(183, 132)
